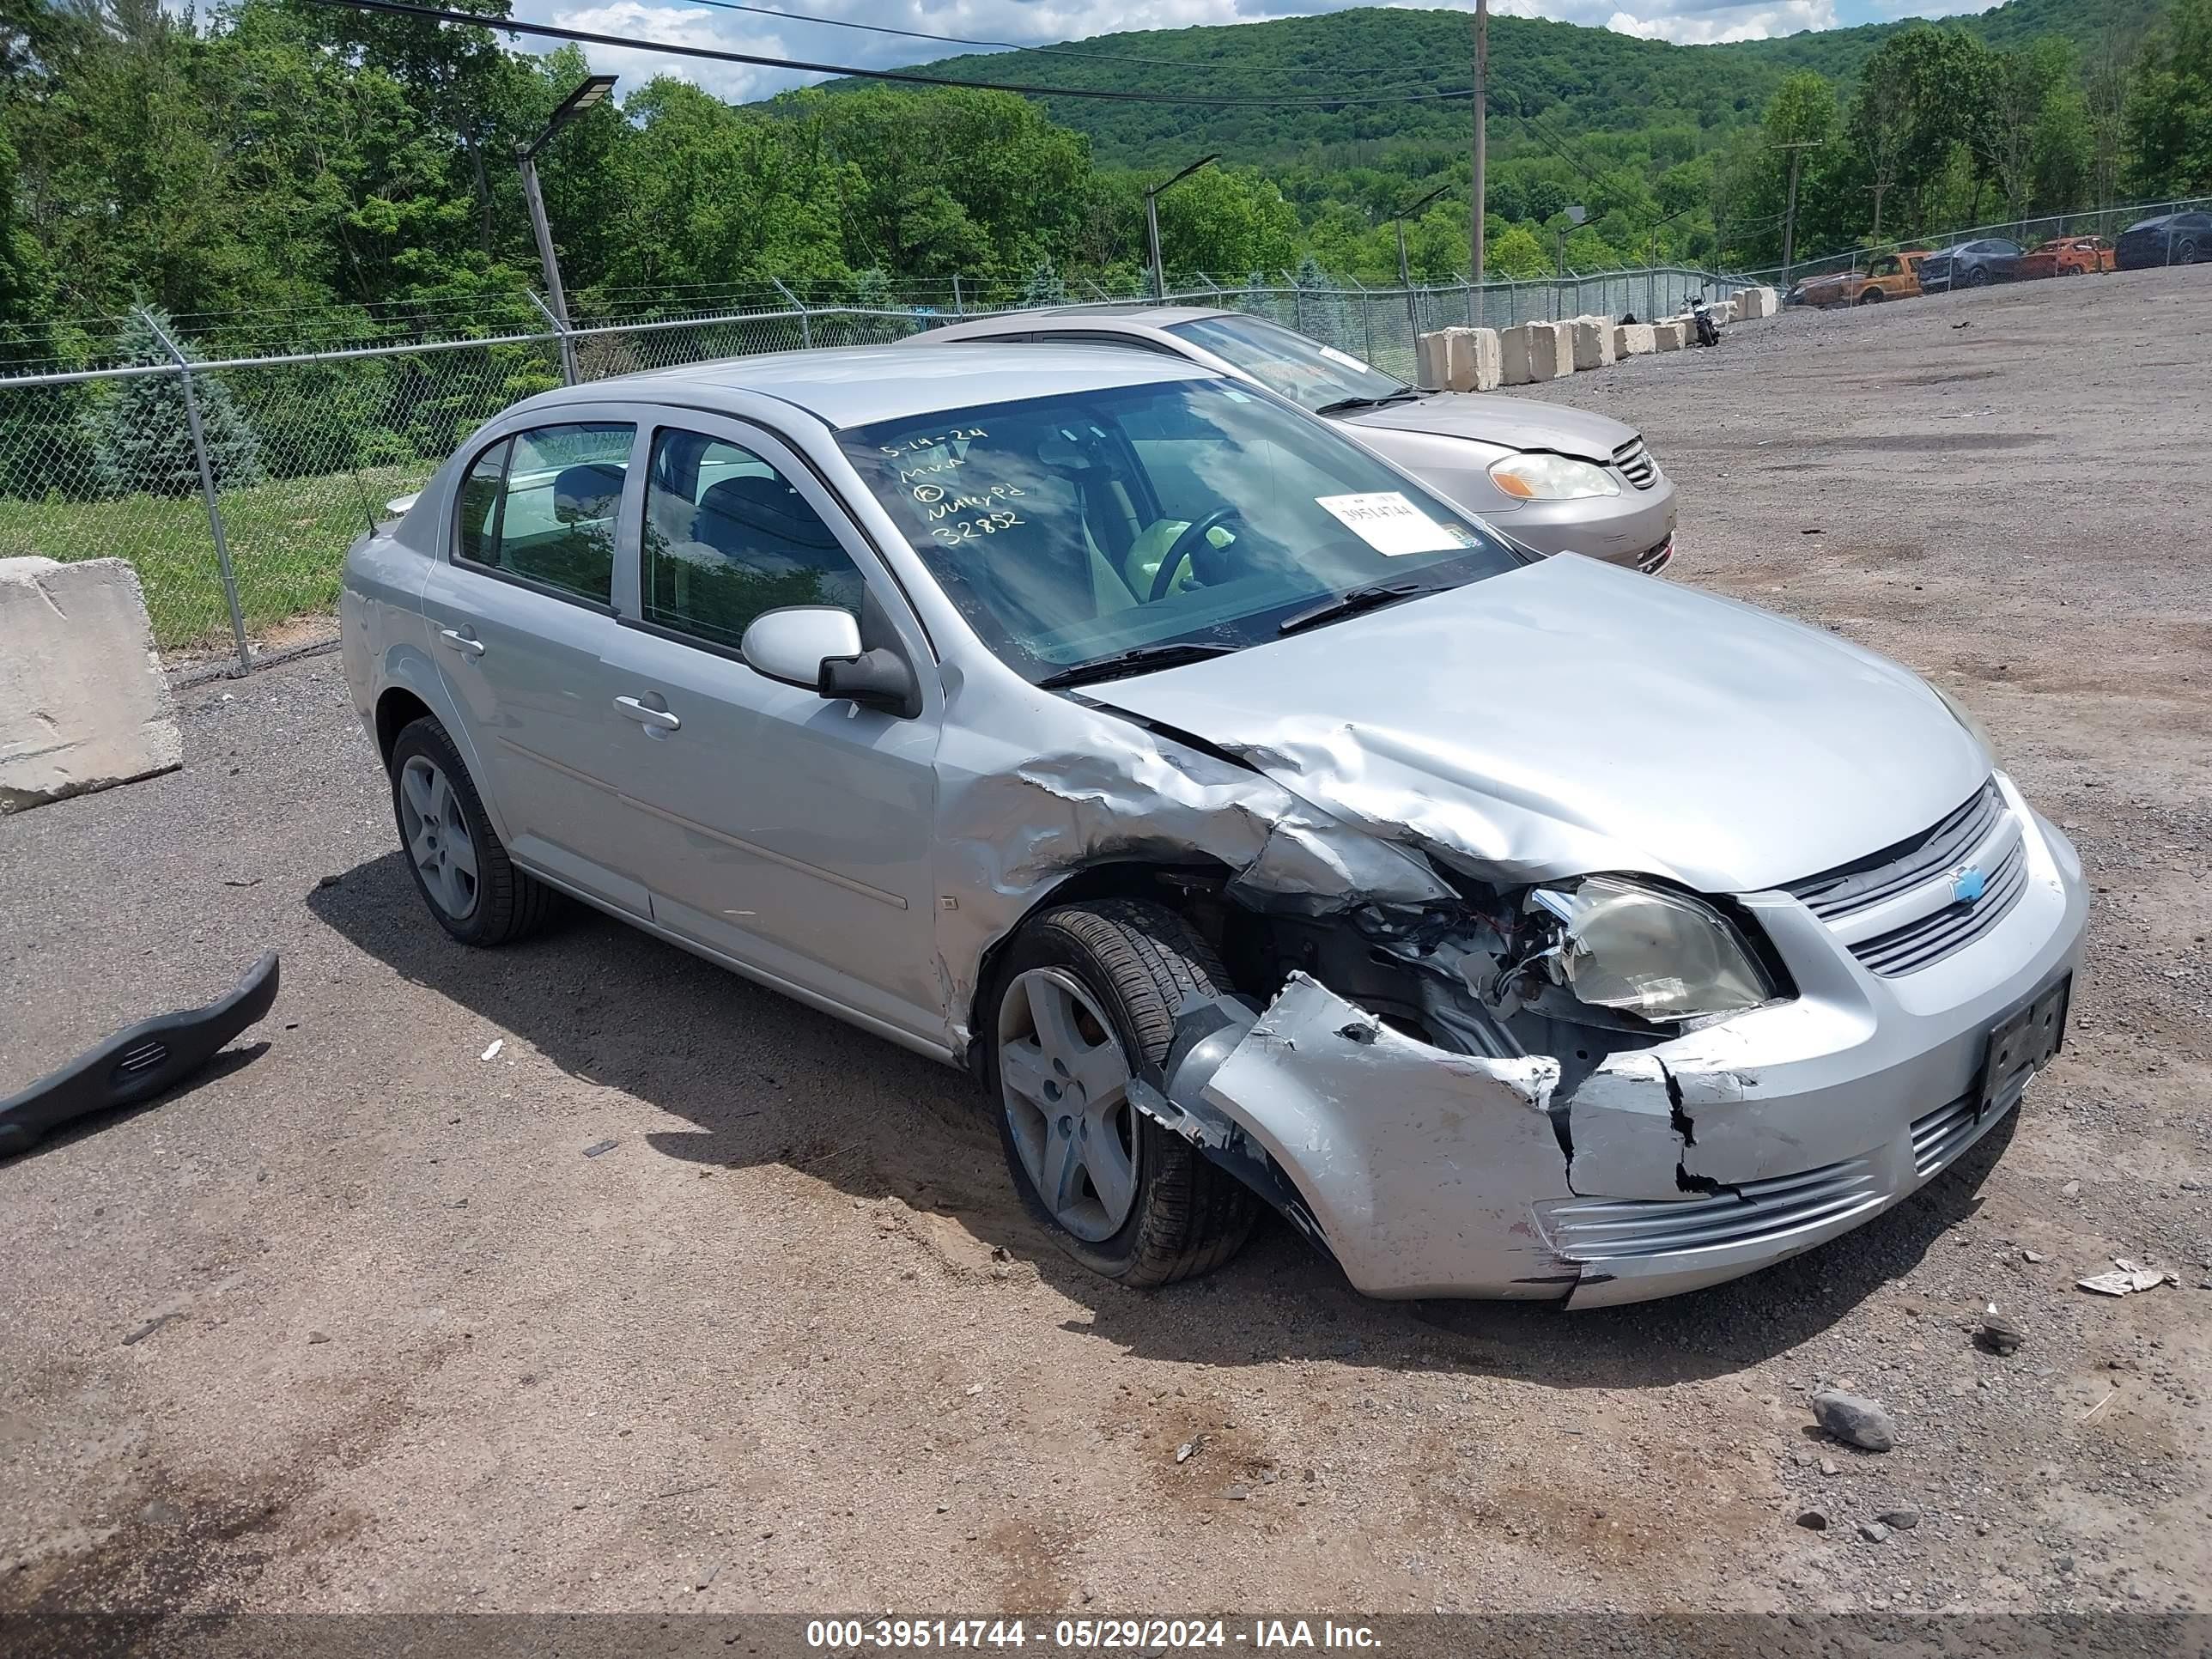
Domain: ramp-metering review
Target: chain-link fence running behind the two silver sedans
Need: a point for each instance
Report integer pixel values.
(236, 483)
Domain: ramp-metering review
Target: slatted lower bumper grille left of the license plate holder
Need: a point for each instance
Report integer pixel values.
(1757, 1211)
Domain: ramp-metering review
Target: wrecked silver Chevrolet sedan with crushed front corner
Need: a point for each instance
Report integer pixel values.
(1255, 824)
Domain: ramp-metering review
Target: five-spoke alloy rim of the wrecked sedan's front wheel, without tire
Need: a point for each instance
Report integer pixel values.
(1065, 1092)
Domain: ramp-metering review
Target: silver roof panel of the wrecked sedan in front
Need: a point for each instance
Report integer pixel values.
(855, 386)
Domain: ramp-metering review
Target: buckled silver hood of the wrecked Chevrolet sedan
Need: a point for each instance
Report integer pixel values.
(1572, 718)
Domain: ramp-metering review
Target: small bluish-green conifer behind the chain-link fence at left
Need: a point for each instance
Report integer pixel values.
(143, 435)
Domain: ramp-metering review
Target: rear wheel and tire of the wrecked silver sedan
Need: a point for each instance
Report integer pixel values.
(452, 851)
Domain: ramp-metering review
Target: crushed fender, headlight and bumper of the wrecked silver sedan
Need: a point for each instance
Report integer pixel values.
(1470, 1070)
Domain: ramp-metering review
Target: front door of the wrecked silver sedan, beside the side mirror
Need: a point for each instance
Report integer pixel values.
(784, 831)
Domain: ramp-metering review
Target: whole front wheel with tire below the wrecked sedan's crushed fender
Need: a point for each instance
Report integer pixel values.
(1085, 1001)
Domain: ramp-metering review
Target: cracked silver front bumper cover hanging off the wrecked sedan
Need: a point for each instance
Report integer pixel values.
(1434, 1173)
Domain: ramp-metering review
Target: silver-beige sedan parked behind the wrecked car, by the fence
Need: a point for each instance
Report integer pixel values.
(1563, 481)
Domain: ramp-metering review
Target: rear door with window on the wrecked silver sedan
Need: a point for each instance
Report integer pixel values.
(523, 609)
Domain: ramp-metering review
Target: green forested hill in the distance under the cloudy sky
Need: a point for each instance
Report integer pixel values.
(1605, 81)
